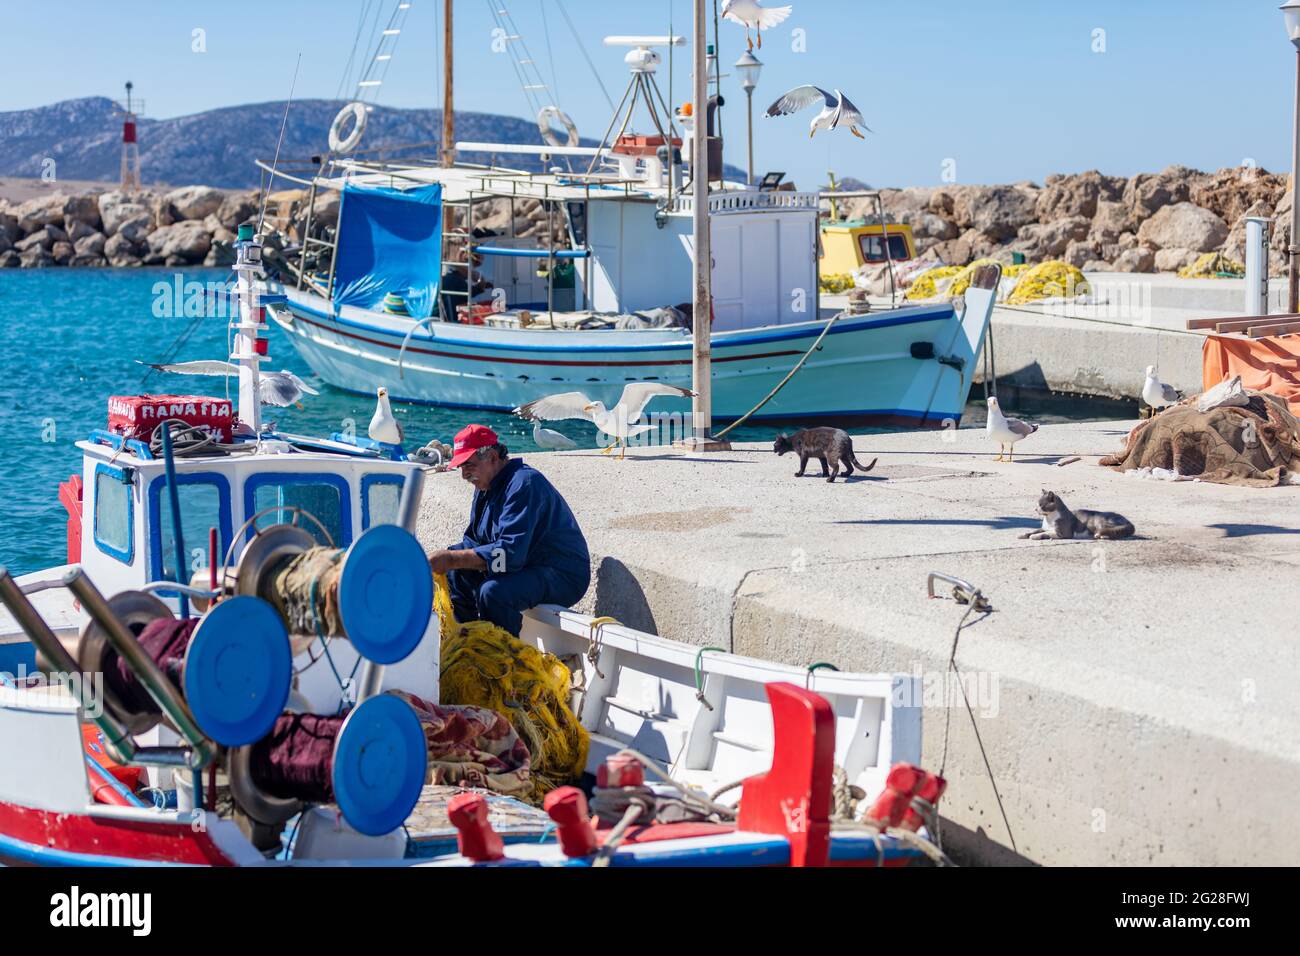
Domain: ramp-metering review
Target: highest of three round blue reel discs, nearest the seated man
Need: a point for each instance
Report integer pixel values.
(385, 595)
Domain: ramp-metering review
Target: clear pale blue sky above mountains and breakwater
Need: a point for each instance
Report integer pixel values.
(1008, 89)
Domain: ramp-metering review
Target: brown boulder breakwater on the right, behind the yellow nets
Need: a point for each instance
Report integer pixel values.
(1149, 223)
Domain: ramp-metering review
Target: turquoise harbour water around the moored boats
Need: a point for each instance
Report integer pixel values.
(70, 339)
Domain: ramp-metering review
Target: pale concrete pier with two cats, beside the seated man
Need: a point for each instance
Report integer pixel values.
(1137, 699)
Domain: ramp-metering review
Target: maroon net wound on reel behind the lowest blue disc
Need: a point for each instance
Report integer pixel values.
(297, 759)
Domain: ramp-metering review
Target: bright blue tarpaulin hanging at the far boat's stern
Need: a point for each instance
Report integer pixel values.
(389, 241)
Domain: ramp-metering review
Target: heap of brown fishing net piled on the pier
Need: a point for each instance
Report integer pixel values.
(1251, 445)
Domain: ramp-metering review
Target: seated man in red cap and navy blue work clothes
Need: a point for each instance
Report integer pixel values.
(523, 546)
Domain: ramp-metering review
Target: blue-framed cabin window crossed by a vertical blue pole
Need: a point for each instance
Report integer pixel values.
(205, 505)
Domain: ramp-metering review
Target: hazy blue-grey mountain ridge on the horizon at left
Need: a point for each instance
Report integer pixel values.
(218, 148)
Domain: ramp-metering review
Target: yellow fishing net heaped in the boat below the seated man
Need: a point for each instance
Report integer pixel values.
(486, 667)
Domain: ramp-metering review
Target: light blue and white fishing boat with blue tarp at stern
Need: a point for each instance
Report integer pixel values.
(608, 295)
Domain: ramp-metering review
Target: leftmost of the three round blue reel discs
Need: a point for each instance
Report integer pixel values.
(239, 671)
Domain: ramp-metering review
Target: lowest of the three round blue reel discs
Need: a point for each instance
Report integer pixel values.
(380, 765)
